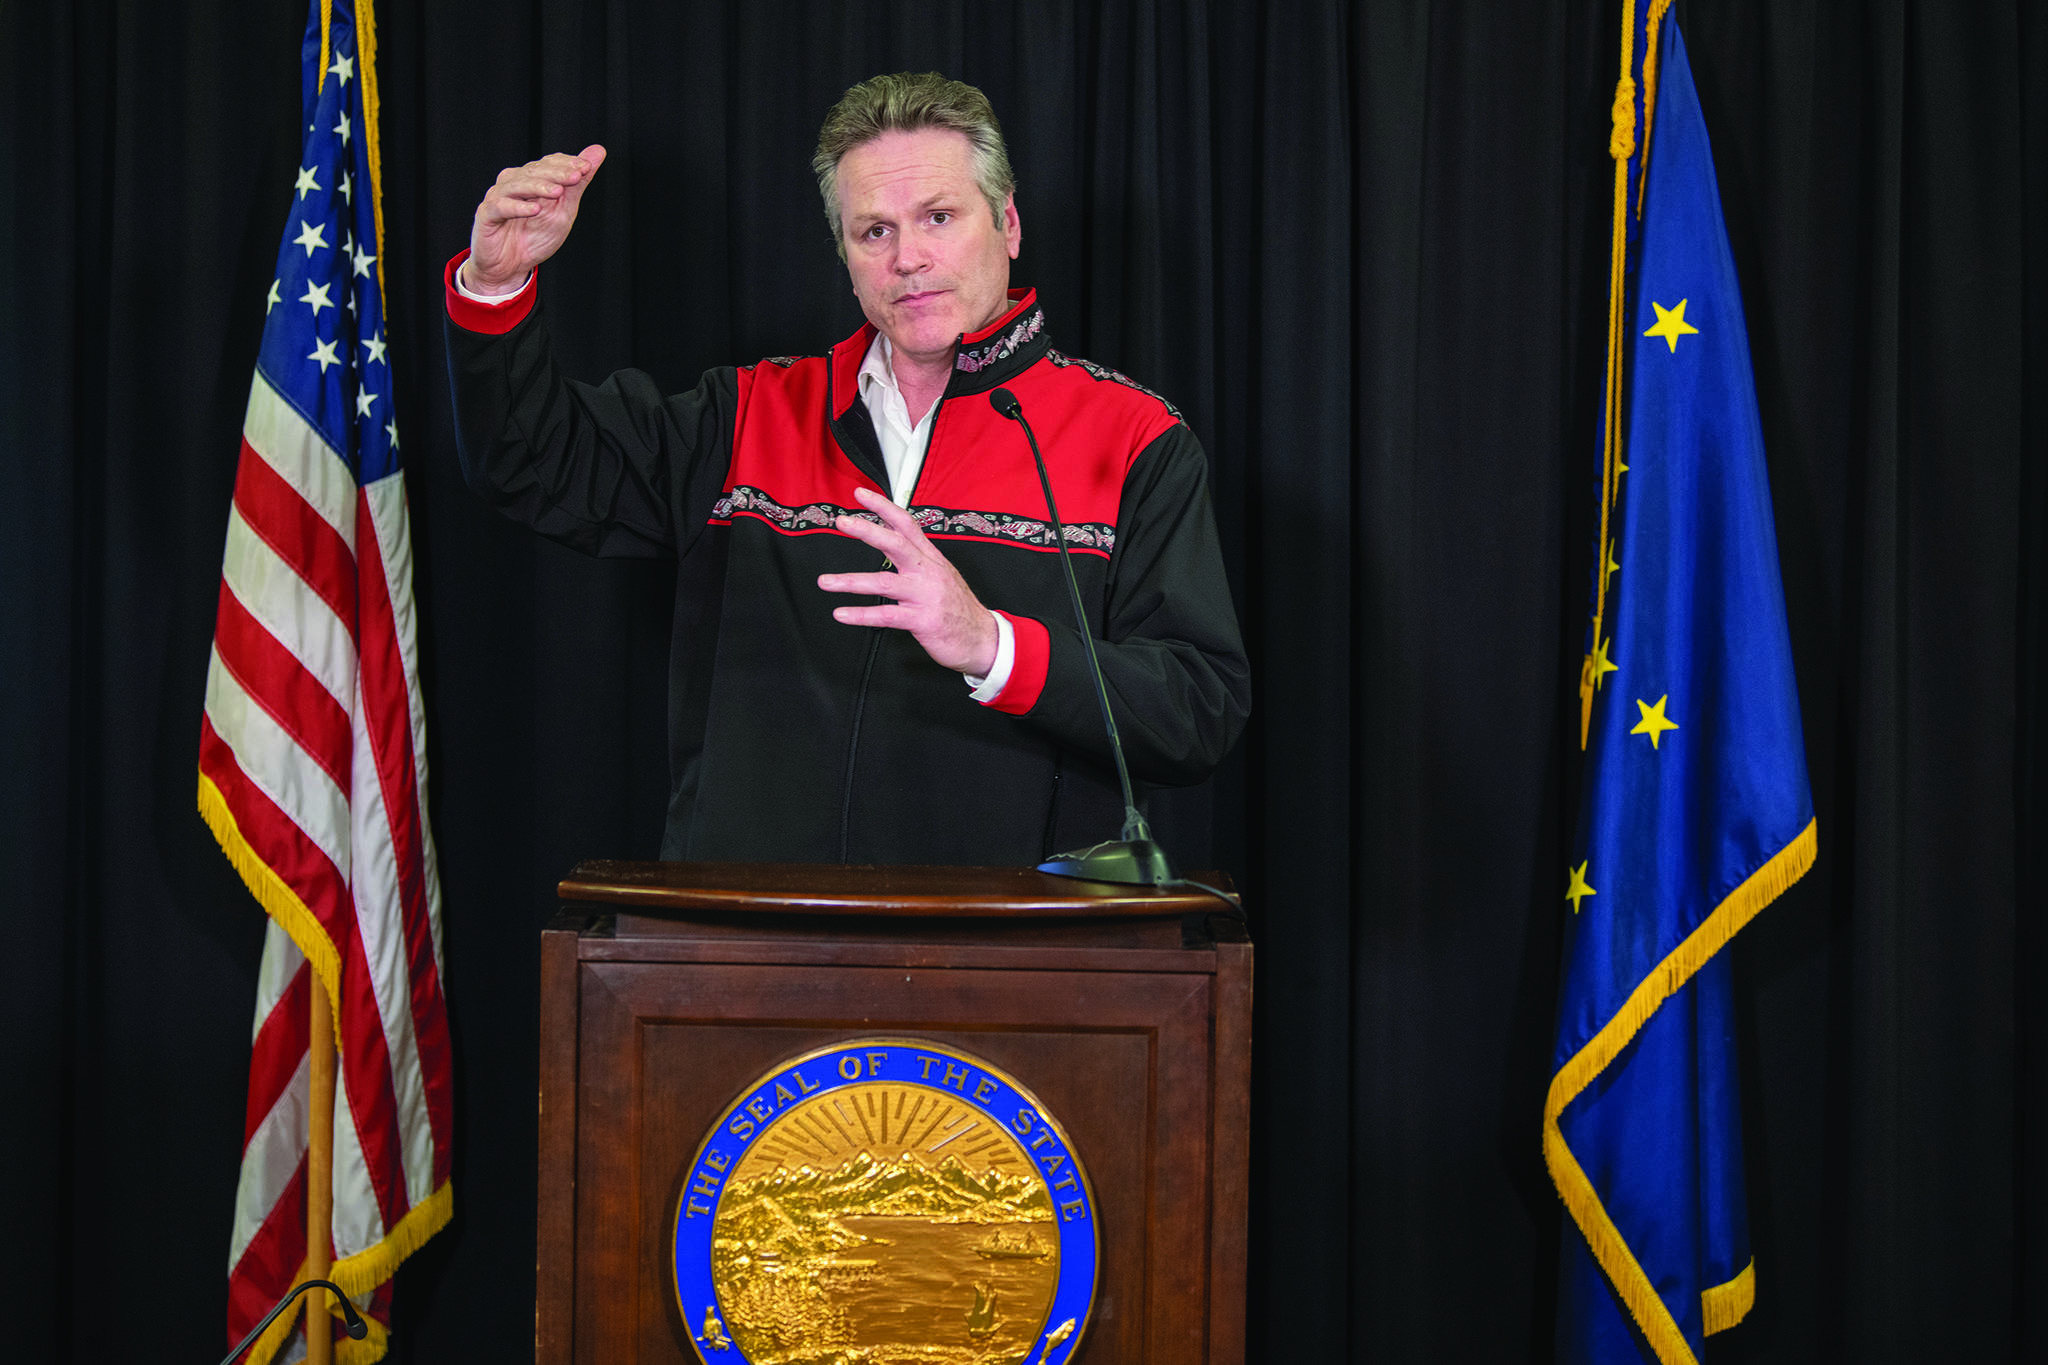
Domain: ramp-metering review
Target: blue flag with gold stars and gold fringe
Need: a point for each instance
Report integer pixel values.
(1697, 803)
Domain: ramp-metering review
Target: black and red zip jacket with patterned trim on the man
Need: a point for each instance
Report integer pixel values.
(800, 740)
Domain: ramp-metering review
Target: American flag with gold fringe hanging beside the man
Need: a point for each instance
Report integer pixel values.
(312, 750)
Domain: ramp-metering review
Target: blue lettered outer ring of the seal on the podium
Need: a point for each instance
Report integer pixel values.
(916, 1065)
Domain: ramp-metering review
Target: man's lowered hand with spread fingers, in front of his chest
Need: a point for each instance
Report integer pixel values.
(931, 597)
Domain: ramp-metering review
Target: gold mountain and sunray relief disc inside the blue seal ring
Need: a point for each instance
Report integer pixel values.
(859, 1231)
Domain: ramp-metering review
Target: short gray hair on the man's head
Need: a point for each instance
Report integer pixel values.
(906, 103)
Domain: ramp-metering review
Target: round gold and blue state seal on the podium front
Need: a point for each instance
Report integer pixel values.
(886, 1202)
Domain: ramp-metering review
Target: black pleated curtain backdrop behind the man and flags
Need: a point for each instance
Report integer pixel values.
(1365, 249)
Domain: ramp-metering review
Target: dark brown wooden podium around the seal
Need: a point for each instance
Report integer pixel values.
(669, 989)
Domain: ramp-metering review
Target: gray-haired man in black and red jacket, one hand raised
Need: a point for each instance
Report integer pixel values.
(873, 654)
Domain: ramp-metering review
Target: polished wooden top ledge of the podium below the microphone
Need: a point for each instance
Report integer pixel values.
(830, 889)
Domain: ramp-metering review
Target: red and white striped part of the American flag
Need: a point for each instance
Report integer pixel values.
(314, 740)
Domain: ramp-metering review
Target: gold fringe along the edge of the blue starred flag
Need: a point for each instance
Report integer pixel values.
(1611, 1249)
